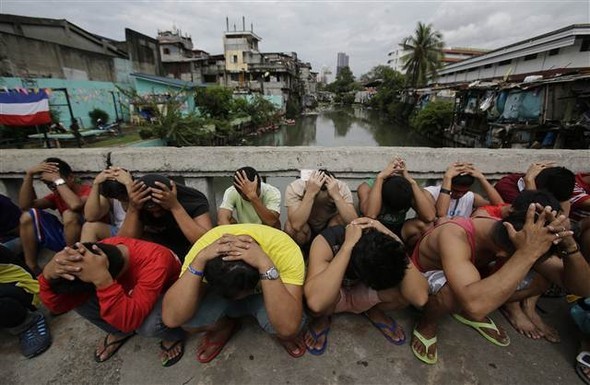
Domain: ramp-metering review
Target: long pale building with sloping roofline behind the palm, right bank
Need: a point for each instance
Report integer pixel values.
(566, 50)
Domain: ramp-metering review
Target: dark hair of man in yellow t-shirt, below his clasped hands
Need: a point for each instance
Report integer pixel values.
(230, 278)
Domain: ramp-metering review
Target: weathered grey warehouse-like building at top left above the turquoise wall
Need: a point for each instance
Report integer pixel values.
(32, 47)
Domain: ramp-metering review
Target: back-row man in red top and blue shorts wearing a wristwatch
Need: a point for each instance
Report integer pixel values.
(40, 228)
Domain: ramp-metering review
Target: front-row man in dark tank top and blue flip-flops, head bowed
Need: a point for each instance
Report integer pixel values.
(362, 268)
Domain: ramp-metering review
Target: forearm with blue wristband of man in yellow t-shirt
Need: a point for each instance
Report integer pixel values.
(182, 300)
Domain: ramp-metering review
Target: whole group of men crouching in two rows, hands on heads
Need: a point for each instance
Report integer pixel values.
(141, 256)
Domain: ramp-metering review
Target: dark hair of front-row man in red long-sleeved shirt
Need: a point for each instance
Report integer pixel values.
(116, 263)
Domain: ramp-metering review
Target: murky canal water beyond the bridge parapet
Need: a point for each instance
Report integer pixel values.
(344, 126)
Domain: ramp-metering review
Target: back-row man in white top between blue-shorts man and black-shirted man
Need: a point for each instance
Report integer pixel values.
(108, 201)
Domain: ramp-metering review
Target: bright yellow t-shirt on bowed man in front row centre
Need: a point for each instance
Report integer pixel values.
(280, 248)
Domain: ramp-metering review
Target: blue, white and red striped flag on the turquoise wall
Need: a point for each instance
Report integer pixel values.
(24, 109)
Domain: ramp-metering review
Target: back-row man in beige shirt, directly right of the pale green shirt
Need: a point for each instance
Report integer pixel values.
(315, 204)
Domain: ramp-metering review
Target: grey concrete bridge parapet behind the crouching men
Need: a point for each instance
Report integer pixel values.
(208, 168)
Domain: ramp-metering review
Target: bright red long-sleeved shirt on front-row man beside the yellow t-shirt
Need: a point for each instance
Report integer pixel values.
(151, 270)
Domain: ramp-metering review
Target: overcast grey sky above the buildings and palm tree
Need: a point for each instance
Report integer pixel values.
(318, 29)
